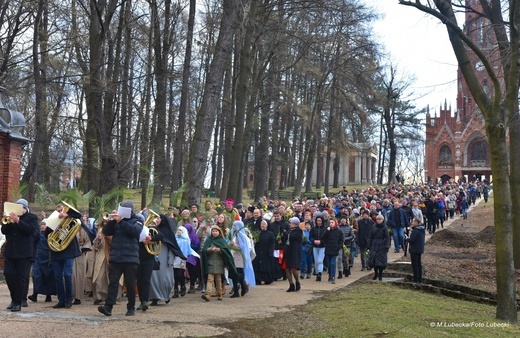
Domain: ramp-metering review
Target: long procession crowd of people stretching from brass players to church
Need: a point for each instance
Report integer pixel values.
(226, 244)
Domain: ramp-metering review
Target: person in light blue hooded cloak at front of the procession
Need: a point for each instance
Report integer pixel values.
(242, 259)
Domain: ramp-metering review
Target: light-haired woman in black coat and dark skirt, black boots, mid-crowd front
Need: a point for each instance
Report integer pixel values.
(292, 253)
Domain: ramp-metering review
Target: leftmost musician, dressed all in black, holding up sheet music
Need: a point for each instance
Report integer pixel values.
(22, 233)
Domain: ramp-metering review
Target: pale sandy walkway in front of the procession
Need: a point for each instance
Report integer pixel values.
(185, 316)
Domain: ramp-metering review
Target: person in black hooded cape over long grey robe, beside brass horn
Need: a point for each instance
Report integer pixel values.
(163, 281)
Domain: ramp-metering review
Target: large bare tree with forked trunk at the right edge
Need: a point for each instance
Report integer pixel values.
(499, 107)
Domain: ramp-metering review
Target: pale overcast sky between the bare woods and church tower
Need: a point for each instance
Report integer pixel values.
(419, 46)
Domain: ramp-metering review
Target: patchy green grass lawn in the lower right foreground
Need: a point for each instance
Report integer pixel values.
(371, 309)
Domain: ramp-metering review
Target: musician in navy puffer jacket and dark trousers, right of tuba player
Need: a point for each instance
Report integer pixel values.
(124, 258)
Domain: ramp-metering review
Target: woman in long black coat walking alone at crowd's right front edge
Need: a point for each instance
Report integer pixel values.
(378, 245)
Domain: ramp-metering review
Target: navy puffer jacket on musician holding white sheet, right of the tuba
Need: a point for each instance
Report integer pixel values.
(125, 240)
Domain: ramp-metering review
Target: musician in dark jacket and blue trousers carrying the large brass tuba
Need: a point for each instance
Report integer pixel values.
(63, 261)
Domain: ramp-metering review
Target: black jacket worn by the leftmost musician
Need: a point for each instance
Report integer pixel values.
(20, 237)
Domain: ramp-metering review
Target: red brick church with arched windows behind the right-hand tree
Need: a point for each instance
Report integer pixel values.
(456, 142)
